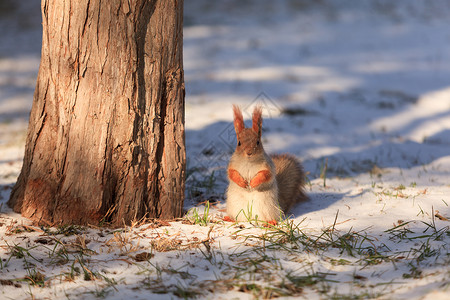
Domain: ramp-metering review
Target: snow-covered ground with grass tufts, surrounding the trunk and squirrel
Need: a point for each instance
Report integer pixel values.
(358, 90)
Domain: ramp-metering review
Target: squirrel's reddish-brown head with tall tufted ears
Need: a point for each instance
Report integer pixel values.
(248, 139)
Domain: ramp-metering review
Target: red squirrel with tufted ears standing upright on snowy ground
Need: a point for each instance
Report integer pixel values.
(261, 187)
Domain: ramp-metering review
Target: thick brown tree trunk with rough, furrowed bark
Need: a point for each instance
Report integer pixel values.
(106, 134)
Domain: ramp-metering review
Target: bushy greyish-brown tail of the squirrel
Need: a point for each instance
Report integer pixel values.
(291, 181)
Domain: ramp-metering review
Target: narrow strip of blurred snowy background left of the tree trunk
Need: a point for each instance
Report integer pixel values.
(20, 48)
